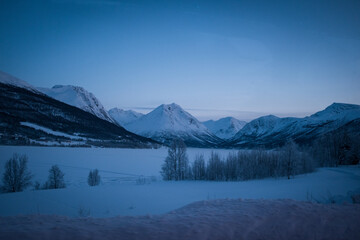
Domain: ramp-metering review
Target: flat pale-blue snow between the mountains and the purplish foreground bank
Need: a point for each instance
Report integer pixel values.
(120, 194)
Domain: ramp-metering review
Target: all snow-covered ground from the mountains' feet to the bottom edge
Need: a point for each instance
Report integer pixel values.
(133, 203)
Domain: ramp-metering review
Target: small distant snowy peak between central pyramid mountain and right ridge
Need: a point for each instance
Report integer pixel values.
(225, 128)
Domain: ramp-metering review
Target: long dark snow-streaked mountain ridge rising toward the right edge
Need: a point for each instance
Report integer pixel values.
(271, 131)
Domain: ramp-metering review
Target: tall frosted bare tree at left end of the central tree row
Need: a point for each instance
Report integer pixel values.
(176, 165)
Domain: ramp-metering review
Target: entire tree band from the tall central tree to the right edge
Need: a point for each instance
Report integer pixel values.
(329, 150)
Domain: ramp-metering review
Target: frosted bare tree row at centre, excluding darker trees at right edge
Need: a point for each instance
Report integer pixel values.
(287, 161)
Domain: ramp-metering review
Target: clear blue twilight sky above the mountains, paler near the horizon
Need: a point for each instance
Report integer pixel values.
(214, 58)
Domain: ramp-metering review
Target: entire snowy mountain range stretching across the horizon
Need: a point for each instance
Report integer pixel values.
(70, 115)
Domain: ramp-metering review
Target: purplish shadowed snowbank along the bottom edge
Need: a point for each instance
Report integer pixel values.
(215, 219)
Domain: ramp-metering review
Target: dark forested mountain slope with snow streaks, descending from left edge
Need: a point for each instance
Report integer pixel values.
(29, 117)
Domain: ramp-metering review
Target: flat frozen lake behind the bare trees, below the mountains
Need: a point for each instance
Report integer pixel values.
(114, 164)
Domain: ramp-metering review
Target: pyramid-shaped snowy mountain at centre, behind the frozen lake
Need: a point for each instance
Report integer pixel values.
(170, 121)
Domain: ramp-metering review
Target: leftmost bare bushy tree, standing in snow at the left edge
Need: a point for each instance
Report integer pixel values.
(16, 177)
